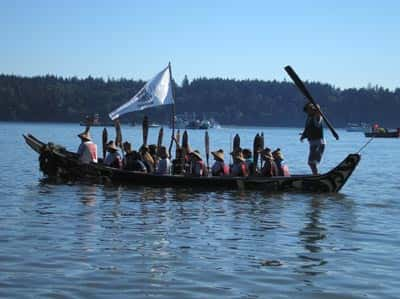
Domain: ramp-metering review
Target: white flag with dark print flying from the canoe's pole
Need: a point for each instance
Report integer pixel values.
(156, 92)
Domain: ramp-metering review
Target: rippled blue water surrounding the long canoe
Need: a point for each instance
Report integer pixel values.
(82, 241)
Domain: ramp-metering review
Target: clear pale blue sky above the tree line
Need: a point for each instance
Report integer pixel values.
(345, 43)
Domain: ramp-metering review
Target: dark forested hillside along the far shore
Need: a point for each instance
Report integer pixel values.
(238, 102)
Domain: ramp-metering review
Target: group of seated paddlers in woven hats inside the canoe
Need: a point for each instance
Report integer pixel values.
(151, 159)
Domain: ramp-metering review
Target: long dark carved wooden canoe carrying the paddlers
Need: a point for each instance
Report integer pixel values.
(56, 161)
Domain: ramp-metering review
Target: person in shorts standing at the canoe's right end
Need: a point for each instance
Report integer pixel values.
(314, 133)
